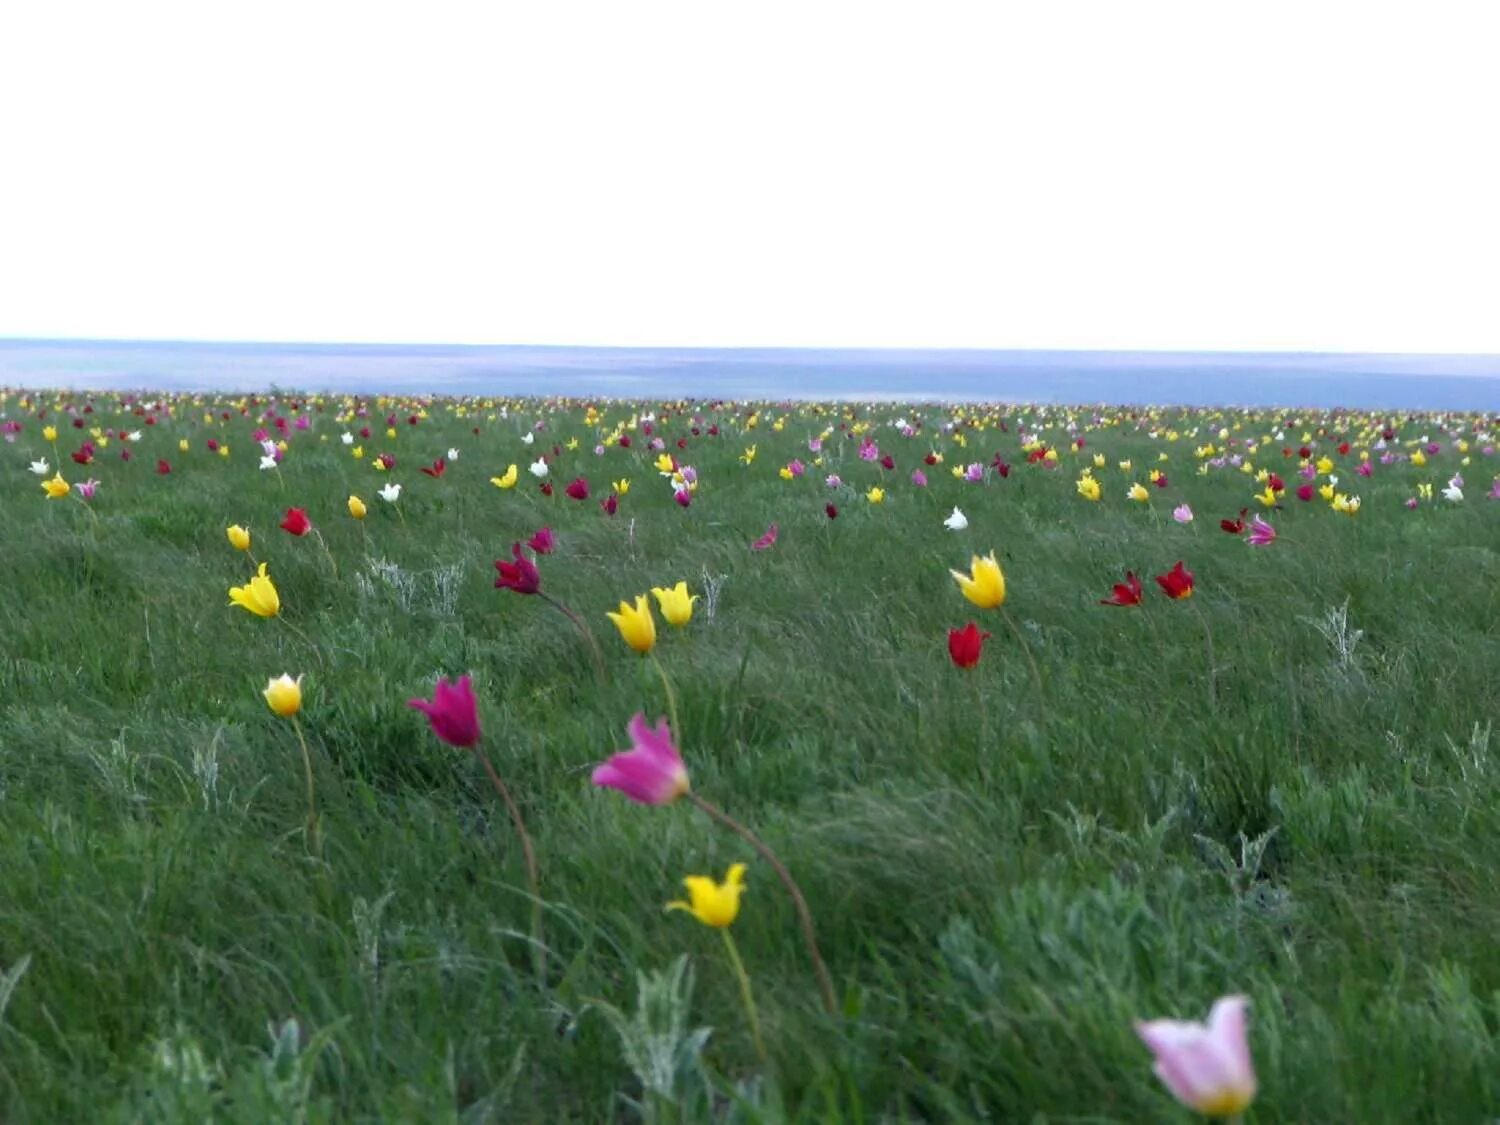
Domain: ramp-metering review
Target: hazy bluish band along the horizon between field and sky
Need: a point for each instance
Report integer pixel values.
(1469, 383)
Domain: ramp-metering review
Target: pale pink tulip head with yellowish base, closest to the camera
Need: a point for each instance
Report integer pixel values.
(1207, 1069)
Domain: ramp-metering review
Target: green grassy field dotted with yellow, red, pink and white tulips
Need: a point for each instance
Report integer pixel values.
(355, 751)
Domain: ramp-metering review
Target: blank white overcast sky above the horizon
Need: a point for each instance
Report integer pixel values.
(1124, 175)
